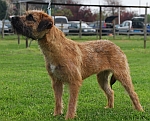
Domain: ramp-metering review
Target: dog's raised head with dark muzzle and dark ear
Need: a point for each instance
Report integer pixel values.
(34, 24)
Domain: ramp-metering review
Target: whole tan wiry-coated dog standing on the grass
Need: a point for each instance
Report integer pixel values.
(71, 62)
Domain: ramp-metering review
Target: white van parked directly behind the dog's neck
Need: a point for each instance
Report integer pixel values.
(61, 22)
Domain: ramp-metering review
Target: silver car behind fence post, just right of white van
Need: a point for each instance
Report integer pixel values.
(74, 27)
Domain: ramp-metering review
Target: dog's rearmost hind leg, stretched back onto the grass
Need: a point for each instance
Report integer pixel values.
(125, 79)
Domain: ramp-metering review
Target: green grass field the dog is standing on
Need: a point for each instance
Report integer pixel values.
(26, 93)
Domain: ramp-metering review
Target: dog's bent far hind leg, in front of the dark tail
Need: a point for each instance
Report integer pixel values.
(102, 78)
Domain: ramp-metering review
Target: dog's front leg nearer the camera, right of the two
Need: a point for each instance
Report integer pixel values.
(74, 90)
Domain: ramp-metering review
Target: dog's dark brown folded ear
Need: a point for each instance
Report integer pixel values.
(44, 24)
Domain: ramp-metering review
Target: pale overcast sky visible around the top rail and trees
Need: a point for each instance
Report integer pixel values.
(124, 2)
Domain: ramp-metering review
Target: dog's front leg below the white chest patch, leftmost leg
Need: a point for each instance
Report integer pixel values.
(58, 90)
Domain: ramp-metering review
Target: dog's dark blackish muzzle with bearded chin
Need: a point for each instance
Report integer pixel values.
(20, 28)
